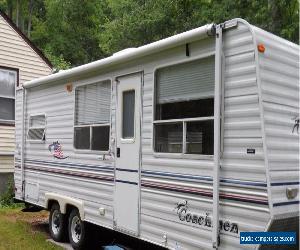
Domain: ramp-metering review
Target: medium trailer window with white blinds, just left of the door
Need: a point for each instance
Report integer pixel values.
(92, 116)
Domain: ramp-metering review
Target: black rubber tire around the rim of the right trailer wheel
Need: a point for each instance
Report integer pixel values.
(84, 240)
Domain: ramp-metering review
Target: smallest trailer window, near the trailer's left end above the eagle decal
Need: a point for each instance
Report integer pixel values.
(37, 125)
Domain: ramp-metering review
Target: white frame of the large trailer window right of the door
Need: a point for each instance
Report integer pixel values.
(181, 155)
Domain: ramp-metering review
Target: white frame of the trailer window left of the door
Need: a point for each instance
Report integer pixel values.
(109, 124)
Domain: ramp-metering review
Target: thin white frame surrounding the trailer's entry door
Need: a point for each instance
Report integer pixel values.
(140, 120)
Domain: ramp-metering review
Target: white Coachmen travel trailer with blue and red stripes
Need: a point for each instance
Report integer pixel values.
(185, 142)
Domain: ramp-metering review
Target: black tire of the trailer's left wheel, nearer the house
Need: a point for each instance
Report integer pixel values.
(60, 234)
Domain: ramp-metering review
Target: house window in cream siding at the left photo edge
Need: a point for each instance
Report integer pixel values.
(8, 82)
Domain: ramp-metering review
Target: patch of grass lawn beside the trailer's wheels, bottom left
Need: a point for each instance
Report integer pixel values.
(20, 230)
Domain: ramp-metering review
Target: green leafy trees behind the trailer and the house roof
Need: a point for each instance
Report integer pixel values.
(74, 32)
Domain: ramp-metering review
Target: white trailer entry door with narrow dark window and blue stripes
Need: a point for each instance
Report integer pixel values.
(127, 176)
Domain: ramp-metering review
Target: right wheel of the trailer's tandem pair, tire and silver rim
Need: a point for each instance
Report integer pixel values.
(78, 233)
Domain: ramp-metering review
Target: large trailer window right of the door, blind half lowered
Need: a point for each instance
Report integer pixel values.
(185, 107)
